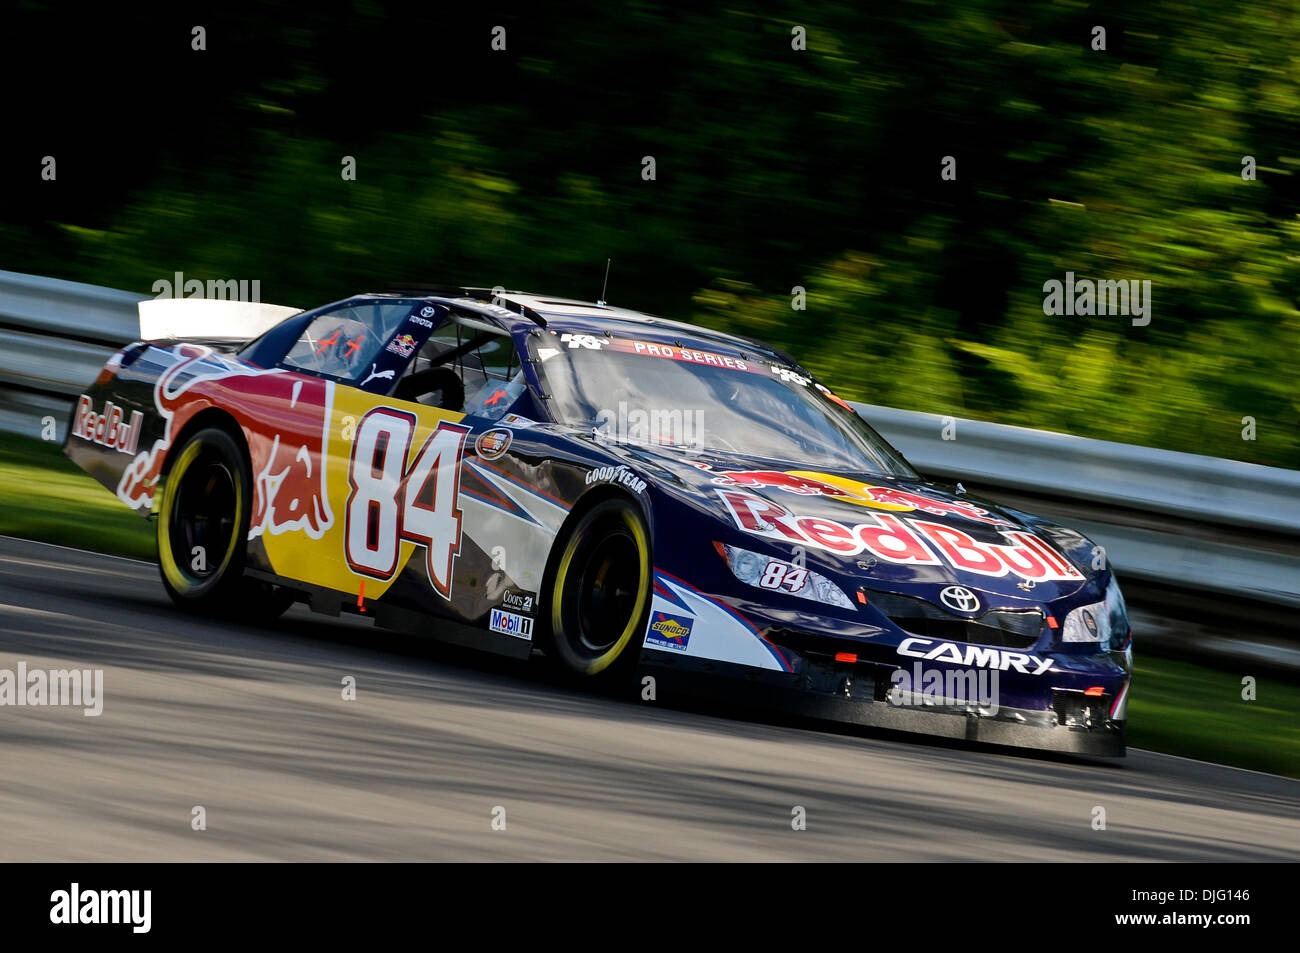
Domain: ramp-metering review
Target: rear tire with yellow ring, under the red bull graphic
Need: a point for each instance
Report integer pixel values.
(203, 531)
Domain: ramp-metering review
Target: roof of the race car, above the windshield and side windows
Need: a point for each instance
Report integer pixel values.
(519, 310)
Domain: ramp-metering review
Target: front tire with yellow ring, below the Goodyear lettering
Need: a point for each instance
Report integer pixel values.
(600, 594)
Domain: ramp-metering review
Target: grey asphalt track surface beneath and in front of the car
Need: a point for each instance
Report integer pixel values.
(252, 725)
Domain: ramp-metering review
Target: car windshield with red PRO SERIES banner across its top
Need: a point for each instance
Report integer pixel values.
(669, 396)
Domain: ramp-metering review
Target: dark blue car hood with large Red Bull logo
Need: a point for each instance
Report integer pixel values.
(877, 532)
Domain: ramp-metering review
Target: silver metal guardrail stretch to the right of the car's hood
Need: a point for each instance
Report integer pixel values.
(1163, 517)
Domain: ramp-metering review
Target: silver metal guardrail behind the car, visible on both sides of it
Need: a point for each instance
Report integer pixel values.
(1176, 519)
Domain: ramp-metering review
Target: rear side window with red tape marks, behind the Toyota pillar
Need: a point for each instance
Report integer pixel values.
(348, 343)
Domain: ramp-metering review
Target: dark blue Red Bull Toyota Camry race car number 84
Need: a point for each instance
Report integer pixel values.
(625, 496)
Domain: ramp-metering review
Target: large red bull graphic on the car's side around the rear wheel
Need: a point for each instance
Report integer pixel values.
(288, 453)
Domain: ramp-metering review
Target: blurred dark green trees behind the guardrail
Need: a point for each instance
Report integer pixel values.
(774, 168)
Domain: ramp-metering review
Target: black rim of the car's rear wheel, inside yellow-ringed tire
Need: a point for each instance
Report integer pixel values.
(203, 516)
